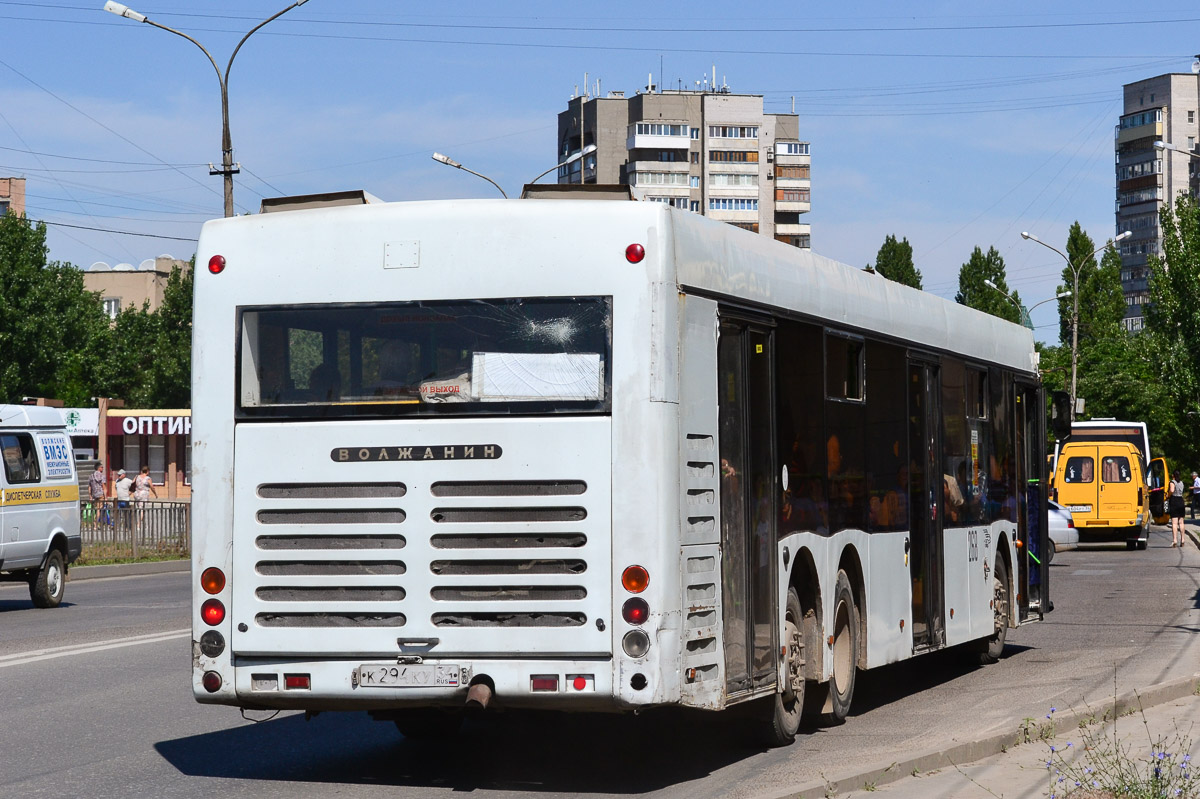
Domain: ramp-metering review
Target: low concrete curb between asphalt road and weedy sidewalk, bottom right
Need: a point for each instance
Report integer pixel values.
(964, 753)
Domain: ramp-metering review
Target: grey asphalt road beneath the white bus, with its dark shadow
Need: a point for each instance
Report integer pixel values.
(95, 701)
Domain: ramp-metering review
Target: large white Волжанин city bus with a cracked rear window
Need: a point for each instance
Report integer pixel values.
(591, 455)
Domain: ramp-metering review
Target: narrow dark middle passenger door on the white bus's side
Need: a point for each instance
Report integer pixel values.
(925, 504)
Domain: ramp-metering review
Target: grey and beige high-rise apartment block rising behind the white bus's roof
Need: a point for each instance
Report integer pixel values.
(710, 152)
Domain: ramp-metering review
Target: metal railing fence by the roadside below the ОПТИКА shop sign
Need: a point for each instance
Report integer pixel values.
(152, 528)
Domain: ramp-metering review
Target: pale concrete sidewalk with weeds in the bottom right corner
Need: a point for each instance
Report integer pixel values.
(1173, 728)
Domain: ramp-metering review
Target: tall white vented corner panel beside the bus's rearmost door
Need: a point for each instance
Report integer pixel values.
(703, 659)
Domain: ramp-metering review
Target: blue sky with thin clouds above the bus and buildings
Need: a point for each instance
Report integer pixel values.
(951, 127)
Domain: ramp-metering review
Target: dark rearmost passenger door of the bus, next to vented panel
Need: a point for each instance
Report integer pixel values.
(749, 504)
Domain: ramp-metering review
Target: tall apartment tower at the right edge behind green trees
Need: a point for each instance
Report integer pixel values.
(1157, 110)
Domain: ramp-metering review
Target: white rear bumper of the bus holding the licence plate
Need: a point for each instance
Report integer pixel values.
(355, 684)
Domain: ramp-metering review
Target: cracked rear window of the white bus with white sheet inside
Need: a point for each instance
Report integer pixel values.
(421, 358)
